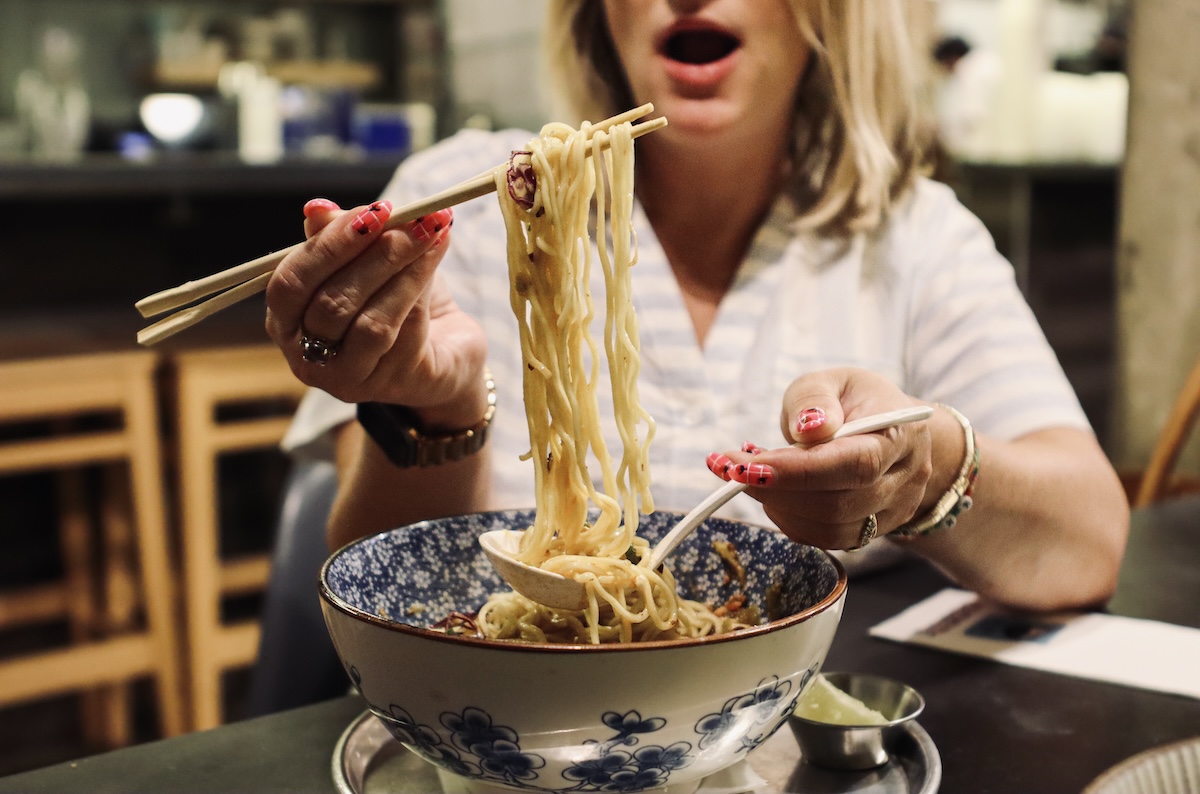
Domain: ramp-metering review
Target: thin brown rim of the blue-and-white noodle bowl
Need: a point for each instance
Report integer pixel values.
(511, 646)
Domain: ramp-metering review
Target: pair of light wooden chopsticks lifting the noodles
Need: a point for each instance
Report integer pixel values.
(237, 284)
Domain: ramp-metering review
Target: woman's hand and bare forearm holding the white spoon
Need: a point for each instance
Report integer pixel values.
(1049, 519)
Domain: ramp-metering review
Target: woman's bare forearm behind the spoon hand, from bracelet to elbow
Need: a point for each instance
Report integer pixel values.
(1048, 527)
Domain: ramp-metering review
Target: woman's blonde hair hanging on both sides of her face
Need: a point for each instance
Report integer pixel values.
(859, 142)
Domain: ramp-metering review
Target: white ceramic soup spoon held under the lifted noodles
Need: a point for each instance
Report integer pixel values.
(502, 546)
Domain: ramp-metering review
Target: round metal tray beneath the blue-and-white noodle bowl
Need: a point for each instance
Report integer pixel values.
(369, 761)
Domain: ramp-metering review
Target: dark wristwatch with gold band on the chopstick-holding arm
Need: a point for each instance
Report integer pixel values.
(399, 434)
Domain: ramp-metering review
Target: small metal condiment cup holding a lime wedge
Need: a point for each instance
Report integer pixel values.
(857, 748)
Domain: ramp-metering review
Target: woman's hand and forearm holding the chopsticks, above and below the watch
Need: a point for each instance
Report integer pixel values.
(399, 339)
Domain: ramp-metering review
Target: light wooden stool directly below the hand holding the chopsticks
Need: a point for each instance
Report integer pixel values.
(206, 381)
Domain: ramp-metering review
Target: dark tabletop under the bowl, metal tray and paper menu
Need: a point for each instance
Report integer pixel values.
(1000, 730)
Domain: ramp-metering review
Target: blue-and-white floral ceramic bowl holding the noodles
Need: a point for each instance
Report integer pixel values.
(622, 718)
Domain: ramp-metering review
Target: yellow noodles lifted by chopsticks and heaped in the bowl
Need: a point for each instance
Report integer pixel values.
(550, 266)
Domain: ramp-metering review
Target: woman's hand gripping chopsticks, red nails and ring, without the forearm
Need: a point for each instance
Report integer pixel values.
(374, 297)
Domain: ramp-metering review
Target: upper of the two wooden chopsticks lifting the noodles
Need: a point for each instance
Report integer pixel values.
(475, 188)
